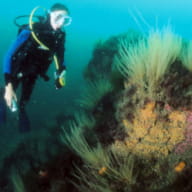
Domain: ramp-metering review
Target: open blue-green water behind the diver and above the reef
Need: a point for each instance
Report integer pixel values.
(92, 20)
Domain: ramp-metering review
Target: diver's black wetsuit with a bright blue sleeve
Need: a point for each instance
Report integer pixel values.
(26, 59)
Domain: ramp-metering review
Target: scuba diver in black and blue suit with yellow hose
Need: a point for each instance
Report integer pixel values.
(38, 44)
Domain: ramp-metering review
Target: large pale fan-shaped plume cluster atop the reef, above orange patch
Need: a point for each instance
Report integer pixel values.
(145, 62)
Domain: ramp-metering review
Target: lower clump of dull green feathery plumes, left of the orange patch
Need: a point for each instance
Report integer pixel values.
(117, 165)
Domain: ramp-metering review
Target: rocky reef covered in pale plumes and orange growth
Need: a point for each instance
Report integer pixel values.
(132, 130)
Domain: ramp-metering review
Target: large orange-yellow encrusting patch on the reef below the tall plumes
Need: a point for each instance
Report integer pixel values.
(149, 135)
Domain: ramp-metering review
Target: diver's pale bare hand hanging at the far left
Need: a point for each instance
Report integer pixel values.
(9, 95)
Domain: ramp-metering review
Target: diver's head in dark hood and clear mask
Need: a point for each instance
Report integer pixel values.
(59, 16)
